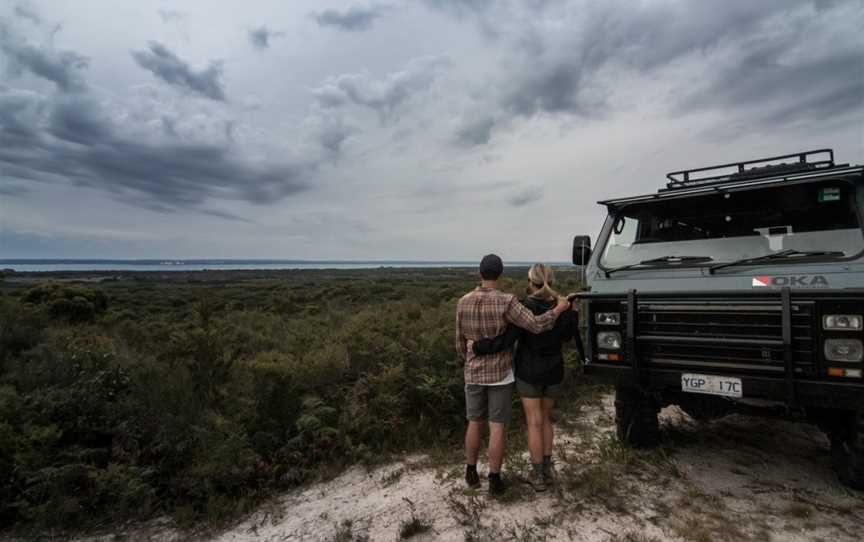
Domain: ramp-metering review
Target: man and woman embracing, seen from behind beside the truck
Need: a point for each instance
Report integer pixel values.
(488, 324)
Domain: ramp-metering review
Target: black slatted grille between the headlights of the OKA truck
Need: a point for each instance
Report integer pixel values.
(736, 336)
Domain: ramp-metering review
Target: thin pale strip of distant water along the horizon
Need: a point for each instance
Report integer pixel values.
(200, 265)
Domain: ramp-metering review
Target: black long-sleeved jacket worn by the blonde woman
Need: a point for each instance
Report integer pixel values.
(538, 359)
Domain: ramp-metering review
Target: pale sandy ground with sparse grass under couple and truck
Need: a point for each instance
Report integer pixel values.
(738, 478)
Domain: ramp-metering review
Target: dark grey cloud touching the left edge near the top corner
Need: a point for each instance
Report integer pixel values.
(58, 66)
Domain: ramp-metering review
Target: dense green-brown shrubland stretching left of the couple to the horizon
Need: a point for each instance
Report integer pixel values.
(198, 396)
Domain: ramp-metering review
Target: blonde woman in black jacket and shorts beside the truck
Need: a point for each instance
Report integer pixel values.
(539, 368)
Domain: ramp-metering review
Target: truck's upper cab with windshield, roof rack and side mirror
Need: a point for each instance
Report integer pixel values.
(805, 212)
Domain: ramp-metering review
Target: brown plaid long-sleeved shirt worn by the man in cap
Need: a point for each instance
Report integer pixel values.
(484, 313)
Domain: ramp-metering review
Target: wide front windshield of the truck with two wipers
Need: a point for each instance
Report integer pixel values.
(730, 226)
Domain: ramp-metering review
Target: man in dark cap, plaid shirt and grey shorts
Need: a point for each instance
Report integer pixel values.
(484, 313)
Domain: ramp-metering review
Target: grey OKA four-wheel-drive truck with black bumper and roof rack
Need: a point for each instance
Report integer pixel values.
(739, 286)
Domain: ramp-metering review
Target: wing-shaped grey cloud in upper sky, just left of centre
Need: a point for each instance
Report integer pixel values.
(383, 95)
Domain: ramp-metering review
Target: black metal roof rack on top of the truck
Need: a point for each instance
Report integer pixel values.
(805, 162)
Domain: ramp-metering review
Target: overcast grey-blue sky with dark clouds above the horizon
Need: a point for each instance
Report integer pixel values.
(404, 129)
